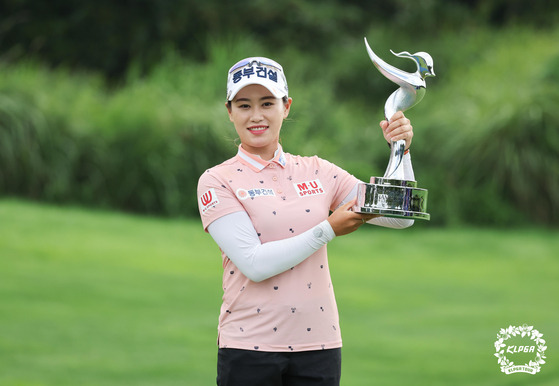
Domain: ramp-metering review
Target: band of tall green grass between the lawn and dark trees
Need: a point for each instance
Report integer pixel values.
(485, 146)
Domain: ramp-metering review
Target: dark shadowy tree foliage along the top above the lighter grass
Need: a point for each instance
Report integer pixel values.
(109, 36)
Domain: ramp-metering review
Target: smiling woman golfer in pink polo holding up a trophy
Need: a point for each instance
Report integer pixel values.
(268, 211)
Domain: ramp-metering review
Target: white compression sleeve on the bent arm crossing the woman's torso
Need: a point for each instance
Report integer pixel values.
(237, 238)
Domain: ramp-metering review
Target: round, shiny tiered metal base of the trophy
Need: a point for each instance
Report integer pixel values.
(392, 198)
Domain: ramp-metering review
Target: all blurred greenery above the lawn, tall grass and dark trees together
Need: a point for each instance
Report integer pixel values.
(120, 104)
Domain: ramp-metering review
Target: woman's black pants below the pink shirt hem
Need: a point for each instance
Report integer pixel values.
(257, 368)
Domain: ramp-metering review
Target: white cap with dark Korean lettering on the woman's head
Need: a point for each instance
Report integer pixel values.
(257, 70)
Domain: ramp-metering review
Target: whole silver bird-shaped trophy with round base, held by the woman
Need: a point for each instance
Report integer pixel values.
(392, 195)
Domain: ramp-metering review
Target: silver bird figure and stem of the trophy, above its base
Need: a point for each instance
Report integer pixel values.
(410, 93)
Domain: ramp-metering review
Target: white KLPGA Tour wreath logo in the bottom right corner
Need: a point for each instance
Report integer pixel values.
(524, 343)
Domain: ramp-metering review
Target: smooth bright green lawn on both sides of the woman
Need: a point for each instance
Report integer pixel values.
(97, 298)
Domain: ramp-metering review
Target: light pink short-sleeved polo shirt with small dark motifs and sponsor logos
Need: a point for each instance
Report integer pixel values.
(295, 310)
